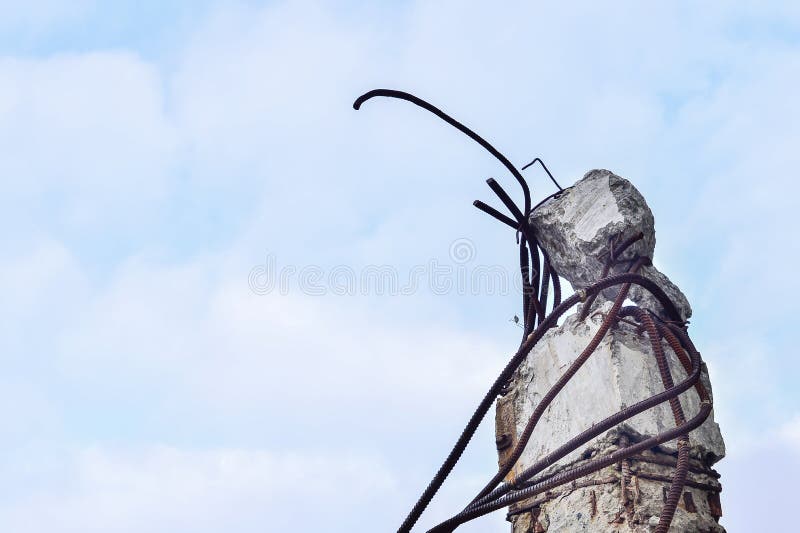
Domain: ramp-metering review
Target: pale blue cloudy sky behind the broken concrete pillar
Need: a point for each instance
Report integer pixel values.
(194, 216)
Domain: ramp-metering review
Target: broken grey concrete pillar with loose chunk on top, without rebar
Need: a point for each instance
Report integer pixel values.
(575, 230)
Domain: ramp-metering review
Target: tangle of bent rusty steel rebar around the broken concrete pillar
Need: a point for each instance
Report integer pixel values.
(536, 321)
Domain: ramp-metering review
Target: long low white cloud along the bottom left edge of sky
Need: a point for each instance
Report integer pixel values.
(167, 489)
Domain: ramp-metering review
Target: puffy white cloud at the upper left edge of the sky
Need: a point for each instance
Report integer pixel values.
(90, 128)
